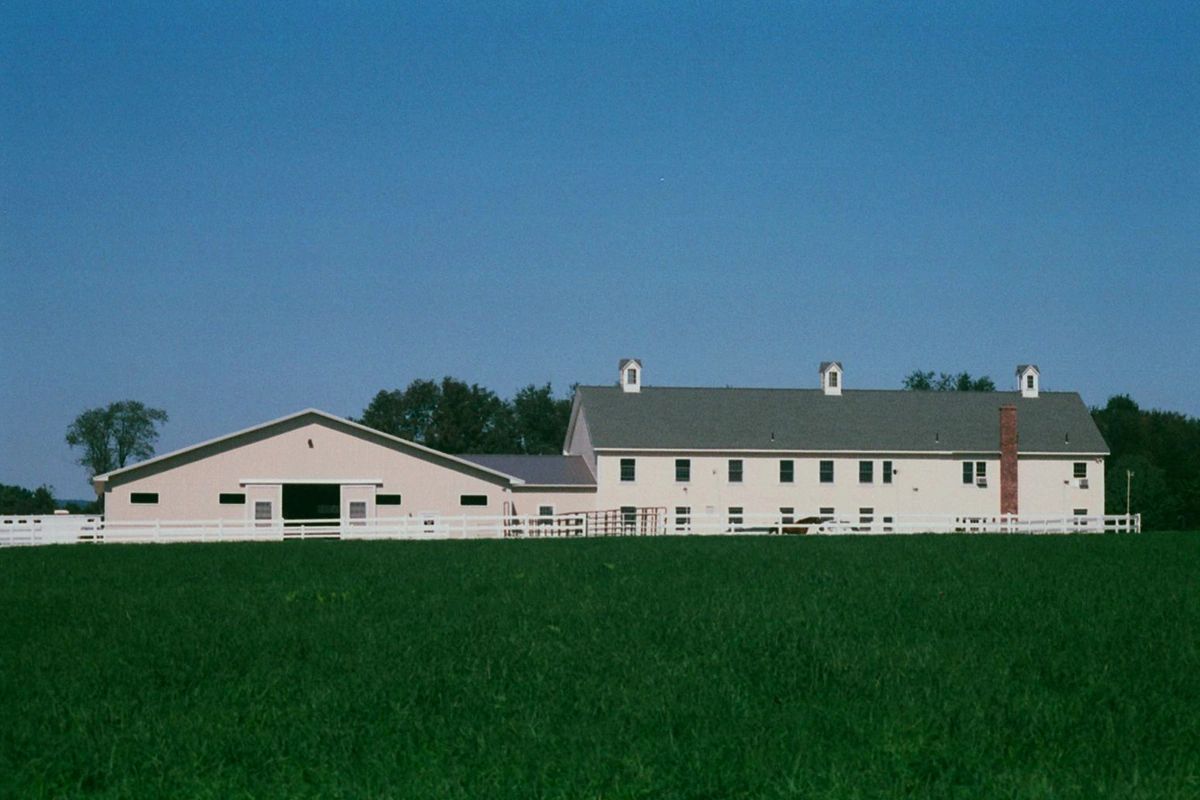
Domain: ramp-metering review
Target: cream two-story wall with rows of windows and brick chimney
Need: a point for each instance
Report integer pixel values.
(926, 485)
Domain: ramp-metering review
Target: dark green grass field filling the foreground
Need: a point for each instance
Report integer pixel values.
(833, 667)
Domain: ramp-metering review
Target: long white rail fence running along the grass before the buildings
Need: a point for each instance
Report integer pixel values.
(62, 530)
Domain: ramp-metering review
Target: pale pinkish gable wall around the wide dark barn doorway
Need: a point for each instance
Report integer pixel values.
(190, 490)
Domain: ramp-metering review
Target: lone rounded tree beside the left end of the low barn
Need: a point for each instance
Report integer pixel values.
(111, 436)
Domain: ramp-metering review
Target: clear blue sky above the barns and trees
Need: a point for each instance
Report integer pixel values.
(237, 213)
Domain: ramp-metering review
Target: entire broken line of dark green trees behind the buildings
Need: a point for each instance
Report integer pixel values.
(1155, 455)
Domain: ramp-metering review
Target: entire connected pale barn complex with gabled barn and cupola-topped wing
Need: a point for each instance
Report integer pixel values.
(675, 455)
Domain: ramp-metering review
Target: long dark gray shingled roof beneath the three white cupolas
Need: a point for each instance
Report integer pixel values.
(809, 420)
